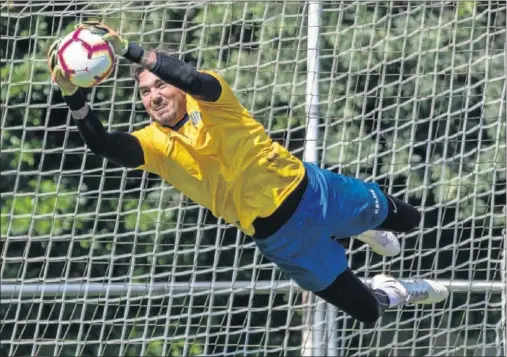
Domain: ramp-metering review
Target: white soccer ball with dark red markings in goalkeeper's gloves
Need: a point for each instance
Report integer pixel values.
(85, 58)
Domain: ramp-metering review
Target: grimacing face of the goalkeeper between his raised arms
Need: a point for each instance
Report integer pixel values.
(164, 103)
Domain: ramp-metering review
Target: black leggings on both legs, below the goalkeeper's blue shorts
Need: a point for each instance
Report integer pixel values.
(348, 293)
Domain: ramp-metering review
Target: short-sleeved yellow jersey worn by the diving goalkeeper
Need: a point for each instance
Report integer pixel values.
(222, 159)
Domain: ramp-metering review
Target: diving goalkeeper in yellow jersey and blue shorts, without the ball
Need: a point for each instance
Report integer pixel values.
(208, 146)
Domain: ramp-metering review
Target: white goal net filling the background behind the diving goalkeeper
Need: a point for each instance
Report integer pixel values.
(98, 260)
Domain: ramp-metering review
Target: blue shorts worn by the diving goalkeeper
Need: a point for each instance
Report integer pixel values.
(332, 205)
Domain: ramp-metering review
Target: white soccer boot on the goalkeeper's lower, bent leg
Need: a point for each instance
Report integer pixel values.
(416, 291)
